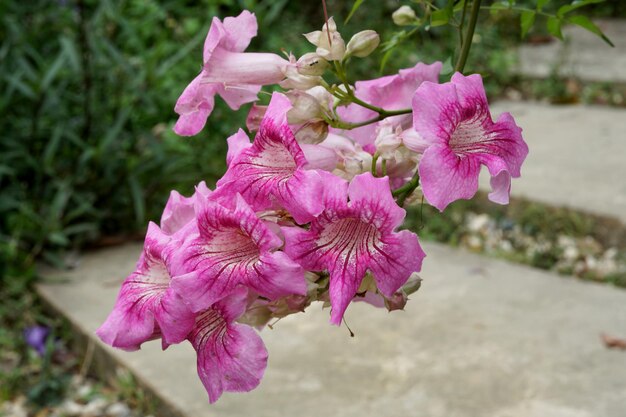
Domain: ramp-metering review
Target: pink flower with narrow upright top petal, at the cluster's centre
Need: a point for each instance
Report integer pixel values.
(272, 171)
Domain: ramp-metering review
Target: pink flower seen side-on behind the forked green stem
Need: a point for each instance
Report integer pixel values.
(392, 92)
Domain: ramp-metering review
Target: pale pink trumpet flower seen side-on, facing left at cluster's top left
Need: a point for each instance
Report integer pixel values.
(236, 76)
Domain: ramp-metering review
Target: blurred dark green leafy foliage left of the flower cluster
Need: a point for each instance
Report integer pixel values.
(87, 91)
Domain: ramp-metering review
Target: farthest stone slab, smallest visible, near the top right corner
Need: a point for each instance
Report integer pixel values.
(583, 55)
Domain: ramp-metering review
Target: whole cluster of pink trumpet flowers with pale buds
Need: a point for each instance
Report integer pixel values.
(310, 209)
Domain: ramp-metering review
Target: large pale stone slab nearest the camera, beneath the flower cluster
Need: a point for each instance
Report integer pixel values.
(481, 338)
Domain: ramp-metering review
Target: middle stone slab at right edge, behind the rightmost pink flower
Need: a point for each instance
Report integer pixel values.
(577, 156)
